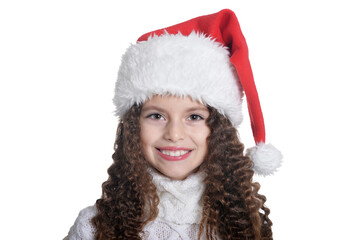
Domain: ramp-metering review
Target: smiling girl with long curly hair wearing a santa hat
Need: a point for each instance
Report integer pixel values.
(179, 170)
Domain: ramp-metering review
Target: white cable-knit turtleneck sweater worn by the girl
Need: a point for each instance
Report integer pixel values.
(180, 211)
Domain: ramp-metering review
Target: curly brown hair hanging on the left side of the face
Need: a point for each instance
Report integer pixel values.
(129, 199)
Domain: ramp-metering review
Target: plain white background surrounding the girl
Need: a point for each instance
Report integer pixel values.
(59, 61)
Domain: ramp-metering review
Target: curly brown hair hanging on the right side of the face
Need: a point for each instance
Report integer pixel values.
(231, 201)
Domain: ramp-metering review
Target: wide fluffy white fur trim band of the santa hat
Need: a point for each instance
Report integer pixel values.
(193, 65)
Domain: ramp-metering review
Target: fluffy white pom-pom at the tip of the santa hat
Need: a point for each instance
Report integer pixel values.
(266, 158)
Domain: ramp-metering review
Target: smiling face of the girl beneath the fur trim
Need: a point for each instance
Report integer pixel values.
(173, 135)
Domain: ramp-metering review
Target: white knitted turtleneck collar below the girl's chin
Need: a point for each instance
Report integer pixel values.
(180, 200)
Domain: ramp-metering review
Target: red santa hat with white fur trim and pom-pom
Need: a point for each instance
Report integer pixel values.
(205, 58)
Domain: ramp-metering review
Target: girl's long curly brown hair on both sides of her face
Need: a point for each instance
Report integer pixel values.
(232, 208)
